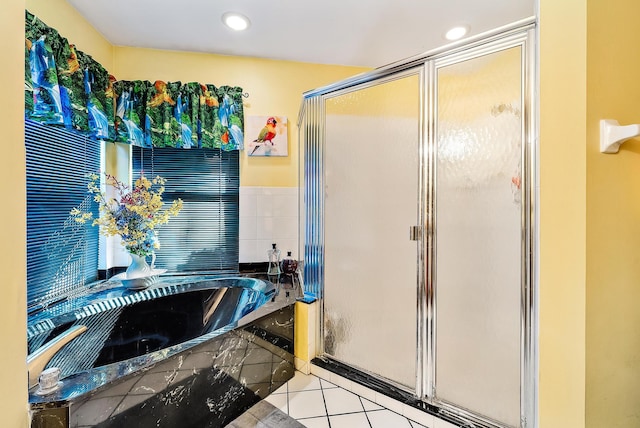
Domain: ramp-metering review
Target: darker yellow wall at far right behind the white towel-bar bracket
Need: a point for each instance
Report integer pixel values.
(613, 218)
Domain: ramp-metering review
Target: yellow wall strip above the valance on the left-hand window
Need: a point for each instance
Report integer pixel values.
(63, 17)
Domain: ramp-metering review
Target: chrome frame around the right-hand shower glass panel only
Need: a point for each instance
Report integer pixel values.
(524, 38)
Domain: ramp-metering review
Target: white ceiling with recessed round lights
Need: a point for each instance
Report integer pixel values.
(369, 33)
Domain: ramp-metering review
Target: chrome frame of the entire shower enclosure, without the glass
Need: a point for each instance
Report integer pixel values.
(312, 134)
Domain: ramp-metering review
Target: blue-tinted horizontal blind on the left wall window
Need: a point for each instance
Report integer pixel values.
(62, 255)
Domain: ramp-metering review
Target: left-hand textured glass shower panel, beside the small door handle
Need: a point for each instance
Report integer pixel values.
(371, 200)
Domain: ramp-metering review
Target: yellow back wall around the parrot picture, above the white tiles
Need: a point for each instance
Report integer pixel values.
(274, 87)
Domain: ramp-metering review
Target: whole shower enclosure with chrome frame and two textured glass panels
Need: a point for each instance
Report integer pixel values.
(419, 197)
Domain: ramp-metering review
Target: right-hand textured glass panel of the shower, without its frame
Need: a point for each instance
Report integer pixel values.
(478, 235)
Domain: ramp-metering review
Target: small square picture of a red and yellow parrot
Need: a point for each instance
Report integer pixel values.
(266, 136)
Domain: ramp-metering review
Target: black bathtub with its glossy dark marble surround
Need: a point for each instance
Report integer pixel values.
(191, 351)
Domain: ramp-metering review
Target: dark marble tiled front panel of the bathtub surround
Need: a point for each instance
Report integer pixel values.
(208, 387)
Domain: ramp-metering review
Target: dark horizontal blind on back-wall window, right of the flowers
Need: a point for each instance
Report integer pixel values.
(204, 236)
